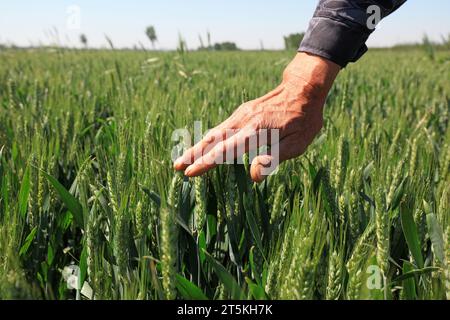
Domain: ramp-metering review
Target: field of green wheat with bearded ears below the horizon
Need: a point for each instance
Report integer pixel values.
(90, 207)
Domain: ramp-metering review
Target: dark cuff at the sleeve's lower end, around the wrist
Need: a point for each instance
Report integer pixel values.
(335, 40)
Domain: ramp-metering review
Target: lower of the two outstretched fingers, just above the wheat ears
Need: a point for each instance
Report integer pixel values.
(243, 141)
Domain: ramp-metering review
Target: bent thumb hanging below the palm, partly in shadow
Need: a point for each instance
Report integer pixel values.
(263, 165)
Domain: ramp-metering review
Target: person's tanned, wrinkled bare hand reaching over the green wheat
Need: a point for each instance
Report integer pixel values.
(295, 108)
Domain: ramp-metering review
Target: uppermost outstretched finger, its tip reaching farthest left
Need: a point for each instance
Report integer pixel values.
(212, 138)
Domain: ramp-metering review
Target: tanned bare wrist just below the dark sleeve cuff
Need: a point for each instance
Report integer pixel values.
(310, 75)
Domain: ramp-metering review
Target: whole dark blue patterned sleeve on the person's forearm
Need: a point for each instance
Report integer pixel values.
(339, 29)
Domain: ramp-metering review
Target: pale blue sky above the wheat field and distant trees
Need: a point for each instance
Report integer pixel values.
(246, 22)
